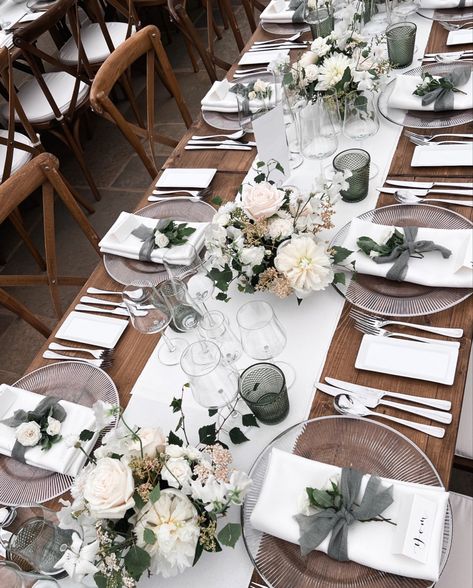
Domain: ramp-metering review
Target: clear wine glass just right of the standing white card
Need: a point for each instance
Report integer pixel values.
(318, 137)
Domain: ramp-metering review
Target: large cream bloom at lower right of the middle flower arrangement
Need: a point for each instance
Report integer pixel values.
(306, 264)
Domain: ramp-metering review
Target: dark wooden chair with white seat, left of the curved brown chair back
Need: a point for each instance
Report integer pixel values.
(55, 101)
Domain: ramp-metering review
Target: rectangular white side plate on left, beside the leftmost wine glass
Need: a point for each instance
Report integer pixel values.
(96, 330)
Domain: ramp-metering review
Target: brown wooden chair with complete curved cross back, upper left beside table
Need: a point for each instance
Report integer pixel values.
(146, 42)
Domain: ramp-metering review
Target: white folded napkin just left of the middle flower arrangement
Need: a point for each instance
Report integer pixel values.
(120, 241)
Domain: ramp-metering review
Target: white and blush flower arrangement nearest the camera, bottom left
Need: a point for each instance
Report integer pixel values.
(145, 503)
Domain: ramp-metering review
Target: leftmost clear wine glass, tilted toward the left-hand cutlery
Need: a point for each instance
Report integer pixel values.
(150, 314)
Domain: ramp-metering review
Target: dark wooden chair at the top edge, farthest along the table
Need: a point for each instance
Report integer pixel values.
(179, 15)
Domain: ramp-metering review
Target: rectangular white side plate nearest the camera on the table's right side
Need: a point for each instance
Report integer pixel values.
(410, 359)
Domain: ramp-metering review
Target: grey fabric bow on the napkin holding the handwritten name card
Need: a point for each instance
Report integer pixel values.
(314, 528)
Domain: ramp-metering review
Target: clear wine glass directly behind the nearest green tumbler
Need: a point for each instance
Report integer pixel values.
(262, 335)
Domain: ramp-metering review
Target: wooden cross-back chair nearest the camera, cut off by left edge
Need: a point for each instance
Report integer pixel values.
(42, 173)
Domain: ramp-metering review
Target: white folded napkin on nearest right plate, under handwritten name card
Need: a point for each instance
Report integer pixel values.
(371, 544)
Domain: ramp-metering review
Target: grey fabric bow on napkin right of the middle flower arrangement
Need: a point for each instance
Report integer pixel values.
(401, 254)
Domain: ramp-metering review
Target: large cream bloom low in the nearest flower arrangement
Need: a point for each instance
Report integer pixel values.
(174, 522)
